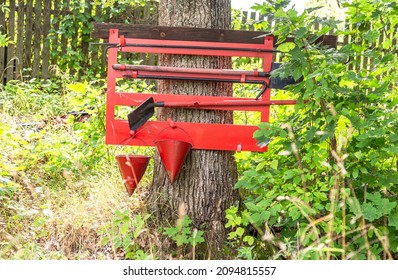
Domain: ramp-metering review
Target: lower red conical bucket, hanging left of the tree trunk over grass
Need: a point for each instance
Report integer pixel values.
(132, 169)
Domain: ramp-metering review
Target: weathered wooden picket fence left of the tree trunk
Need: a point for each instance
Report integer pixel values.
(46, 35)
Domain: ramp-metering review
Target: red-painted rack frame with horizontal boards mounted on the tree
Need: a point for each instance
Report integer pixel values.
(201, 136)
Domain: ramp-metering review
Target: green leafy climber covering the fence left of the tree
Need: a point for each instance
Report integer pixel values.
(75, 27)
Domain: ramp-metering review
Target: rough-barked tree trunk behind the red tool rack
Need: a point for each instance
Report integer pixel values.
(205, 184)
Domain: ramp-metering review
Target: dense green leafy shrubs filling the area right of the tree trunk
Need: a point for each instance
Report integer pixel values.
(327, 187)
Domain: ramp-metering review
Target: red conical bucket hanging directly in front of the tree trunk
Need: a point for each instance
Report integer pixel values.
(173, 154)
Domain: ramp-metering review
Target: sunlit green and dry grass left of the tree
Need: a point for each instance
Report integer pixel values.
(60, 193)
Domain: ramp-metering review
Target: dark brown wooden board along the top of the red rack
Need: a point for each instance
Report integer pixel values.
(101, 30)
